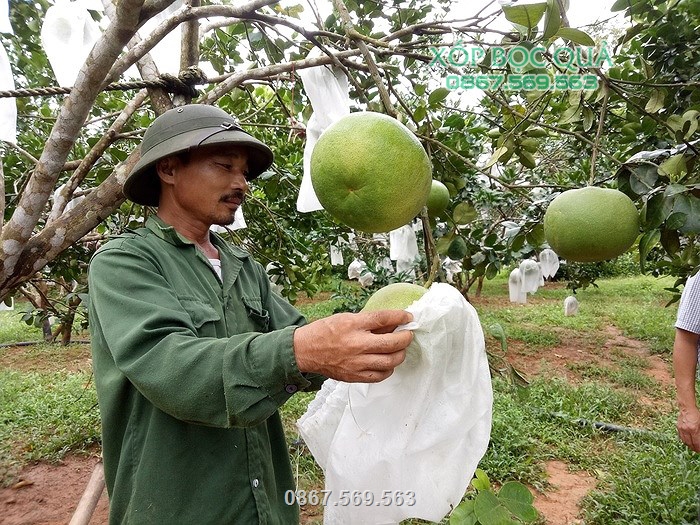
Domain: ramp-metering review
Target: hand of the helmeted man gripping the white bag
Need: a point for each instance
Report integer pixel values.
(356, 348)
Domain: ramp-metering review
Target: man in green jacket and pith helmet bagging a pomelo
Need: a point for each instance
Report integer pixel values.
(193, 353)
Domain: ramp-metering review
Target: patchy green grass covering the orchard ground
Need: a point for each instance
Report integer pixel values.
(644, 475)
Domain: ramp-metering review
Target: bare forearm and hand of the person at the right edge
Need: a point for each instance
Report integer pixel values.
(684, 364)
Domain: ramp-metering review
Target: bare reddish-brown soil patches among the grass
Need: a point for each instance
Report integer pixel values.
(47, 494)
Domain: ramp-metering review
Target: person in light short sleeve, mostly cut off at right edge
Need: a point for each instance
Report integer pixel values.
(685, 359)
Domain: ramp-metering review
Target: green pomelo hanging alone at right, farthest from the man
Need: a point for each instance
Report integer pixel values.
(591, 224)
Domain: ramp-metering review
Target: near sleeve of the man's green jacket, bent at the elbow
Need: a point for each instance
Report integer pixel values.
(144, 337)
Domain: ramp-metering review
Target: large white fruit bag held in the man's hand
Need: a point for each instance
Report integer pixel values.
(407, 447)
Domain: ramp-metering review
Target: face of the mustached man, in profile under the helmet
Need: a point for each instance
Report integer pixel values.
(209, 186)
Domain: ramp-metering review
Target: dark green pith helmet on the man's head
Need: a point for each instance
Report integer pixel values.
(184, 128)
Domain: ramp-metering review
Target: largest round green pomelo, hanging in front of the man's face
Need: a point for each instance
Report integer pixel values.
(370, 172)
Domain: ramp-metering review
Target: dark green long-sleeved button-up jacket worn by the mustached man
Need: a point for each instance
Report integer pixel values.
(190, 373)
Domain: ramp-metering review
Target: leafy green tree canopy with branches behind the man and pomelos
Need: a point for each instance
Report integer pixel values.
(502, 158)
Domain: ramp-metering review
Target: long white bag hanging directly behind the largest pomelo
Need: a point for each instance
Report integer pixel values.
(328, 90)
